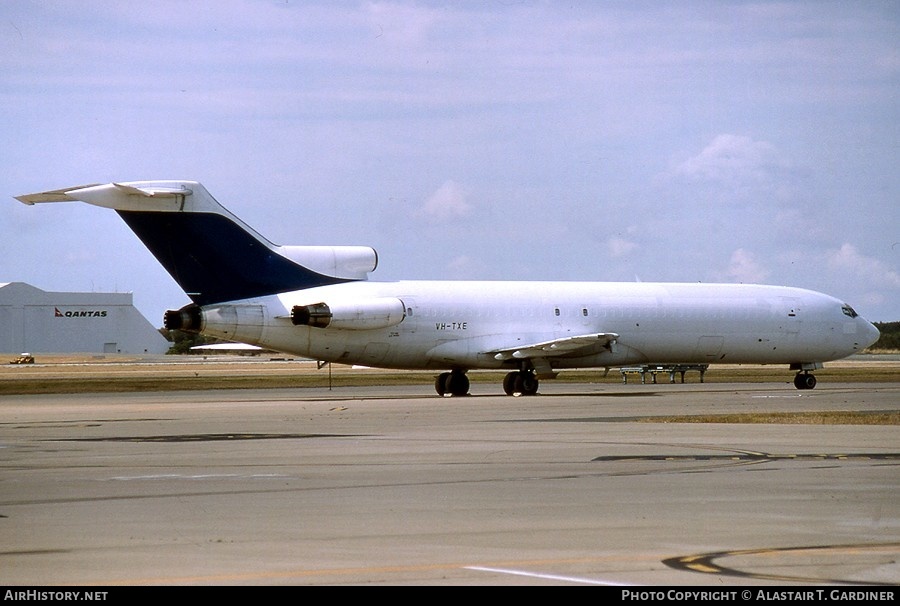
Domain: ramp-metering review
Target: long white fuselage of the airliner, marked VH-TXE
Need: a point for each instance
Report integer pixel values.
(458, 324)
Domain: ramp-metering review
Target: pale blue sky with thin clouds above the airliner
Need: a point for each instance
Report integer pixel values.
(681, 141)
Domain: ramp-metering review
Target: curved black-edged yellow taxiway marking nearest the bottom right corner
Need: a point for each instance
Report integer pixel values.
(705, 563)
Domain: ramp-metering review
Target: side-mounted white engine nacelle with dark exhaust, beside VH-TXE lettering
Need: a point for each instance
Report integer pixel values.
(367, 314)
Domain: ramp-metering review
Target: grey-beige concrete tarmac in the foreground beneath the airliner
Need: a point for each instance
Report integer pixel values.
(392, 485)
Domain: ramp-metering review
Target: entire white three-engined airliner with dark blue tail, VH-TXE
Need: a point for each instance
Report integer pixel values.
(316, 301)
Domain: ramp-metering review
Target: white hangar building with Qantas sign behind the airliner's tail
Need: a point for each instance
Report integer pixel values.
(38, 321)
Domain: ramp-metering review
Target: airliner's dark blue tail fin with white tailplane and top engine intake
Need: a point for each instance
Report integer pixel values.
(212, 255)
